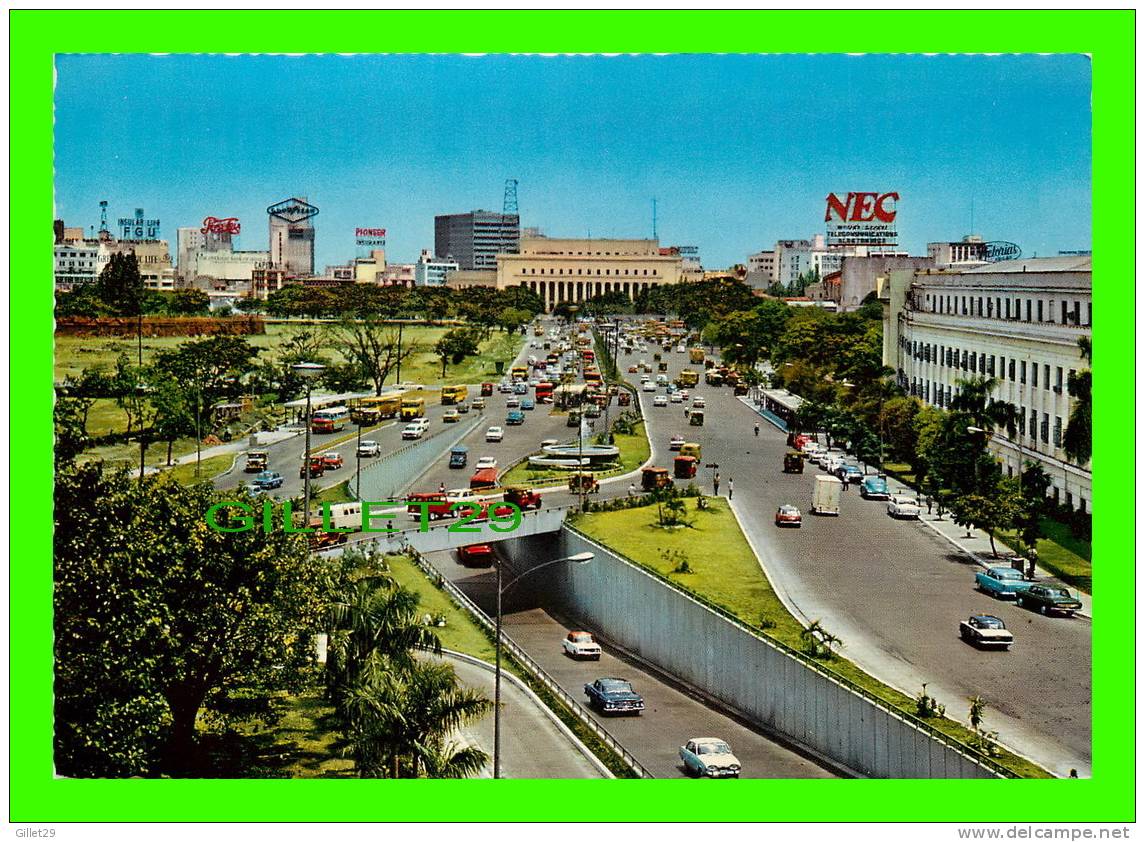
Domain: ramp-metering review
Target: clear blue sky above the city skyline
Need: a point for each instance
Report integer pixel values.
(739, 151)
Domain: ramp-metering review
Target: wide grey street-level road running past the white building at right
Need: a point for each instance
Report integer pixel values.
(895, 592)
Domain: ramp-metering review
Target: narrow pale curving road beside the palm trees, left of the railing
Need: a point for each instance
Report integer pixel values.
(533, 745)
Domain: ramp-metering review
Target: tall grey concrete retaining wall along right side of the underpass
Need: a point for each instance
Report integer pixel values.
(747, 673)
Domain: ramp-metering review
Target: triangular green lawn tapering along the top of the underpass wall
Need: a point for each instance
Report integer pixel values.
(727, 572)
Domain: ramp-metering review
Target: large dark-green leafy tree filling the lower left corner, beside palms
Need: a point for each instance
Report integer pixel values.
(160, 619)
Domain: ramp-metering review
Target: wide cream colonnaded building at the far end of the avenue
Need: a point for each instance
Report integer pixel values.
(577, 270)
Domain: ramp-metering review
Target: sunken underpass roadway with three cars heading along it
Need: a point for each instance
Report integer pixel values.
(672, 718)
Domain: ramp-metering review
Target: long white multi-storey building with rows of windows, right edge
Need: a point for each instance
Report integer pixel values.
(1017, 321)
